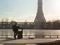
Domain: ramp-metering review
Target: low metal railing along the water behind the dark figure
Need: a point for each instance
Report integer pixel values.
(34, 36)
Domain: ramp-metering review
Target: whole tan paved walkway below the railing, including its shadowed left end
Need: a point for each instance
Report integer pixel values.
(26, 41)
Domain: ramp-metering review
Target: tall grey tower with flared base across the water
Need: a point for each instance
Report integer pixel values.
(40, 16)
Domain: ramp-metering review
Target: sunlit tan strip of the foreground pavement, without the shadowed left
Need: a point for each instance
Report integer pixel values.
(29, 41)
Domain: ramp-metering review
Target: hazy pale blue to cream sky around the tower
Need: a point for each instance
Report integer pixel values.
(21, 10)
